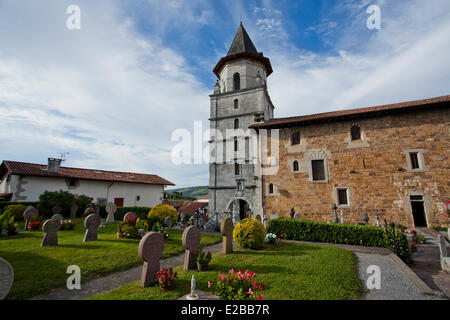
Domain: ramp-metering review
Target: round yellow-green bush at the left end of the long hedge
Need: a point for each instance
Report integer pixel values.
(249, 233)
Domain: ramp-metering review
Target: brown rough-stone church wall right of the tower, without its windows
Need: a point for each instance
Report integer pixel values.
(376, 169)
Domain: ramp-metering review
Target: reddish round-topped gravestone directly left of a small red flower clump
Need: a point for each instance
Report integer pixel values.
(150, 250)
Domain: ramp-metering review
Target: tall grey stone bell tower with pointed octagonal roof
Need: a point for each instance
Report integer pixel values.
(240, 99)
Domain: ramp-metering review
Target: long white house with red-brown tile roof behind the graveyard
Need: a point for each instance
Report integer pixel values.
(22, 181)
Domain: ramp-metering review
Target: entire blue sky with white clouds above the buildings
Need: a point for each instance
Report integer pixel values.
(112, 93)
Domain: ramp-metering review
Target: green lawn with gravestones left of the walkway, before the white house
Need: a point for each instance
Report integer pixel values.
(38, 270)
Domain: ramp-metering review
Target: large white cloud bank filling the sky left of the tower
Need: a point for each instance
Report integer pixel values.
(105, 94)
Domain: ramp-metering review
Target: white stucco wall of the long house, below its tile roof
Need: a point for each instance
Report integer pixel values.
(28, 188)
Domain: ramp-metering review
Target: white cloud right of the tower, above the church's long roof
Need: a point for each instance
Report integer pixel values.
(406, 60)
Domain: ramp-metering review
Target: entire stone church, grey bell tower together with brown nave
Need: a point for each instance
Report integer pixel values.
(391, 160)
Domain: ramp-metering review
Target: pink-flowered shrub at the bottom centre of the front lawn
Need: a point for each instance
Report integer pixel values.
(237, 286)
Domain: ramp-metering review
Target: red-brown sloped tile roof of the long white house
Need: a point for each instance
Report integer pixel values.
(40, 170)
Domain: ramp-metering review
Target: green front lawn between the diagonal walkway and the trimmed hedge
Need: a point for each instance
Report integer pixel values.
(293, 272)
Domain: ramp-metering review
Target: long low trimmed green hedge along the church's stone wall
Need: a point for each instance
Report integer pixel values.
(368, 236)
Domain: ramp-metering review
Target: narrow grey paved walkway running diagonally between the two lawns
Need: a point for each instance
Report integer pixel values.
(114, 280)
